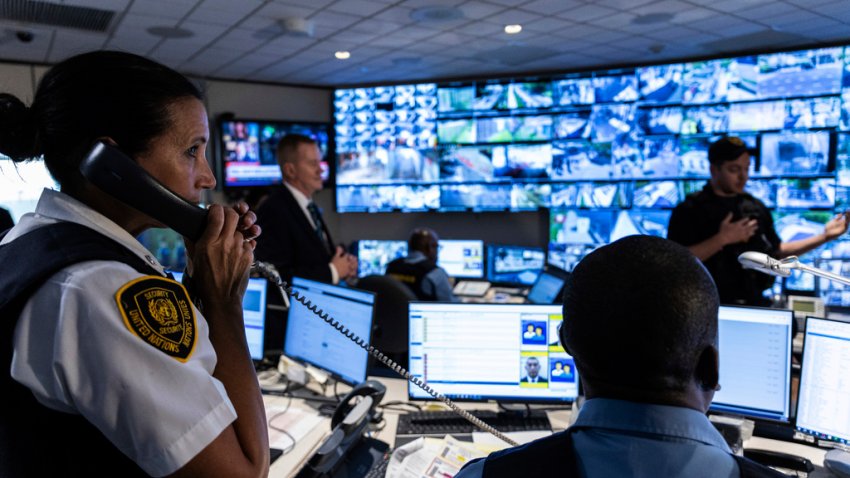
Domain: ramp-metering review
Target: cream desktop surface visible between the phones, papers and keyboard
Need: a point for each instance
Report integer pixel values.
(289, 464)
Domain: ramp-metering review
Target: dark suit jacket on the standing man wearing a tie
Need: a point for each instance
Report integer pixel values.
(288, 240)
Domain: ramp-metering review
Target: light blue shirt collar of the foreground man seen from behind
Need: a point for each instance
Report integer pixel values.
(653, 419)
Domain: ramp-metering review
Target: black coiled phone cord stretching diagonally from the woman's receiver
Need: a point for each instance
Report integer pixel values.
(270, 272)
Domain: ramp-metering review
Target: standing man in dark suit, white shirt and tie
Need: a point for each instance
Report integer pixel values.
(295, 238)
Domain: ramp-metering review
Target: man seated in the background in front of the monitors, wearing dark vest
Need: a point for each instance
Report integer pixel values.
(419, 270)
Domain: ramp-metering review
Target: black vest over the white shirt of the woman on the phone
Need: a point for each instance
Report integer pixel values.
(36, 441)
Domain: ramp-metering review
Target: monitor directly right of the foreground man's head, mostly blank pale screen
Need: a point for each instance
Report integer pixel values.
(755, 363)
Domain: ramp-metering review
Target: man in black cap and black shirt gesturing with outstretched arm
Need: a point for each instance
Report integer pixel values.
(722, 221)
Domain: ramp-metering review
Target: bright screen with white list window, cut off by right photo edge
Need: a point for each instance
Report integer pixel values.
(823, 403)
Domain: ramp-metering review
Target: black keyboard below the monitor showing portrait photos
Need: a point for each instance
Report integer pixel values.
(445, 422)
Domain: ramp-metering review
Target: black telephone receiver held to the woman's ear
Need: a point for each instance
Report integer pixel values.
(118, 175)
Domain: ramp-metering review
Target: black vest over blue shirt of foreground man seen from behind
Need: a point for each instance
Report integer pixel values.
(555, 456)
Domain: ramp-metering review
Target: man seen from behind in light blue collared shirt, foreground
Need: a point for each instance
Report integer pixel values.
(640, 320)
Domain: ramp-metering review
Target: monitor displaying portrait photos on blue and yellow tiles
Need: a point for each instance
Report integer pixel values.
(506, 352)
